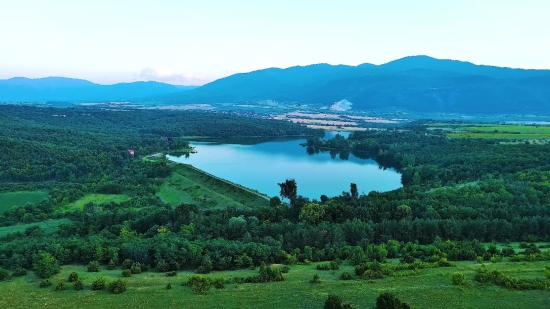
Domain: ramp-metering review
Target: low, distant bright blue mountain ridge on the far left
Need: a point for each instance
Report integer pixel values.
(20, 89)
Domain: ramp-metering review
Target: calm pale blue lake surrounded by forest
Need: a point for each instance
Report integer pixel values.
(261, 164)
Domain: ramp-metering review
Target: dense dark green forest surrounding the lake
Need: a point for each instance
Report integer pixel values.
(457, 194)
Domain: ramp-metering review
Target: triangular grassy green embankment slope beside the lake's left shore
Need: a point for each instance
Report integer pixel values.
(187, 185)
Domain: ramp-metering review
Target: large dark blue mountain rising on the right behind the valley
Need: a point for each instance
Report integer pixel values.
(417, 83)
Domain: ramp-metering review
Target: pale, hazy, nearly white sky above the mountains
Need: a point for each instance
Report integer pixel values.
(196, 41)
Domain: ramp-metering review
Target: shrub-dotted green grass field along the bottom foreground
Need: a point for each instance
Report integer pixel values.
(431, 289)
